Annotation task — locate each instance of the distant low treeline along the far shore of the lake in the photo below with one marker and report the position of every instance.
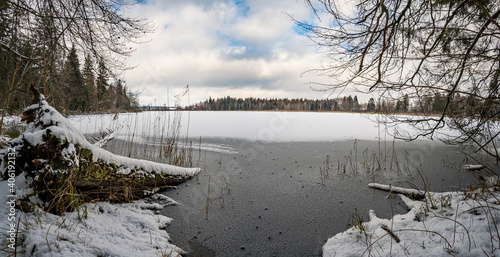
(431, 104)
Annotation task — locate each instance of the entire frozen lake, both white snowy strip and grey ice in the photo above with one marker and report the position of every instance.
(263, 189)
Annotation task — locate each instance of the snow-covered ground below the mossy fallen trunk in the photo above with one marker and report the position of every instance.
(95, 229)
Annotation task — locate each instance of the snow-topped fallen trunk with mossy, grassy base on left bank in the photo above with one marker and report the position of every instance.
(63, 168)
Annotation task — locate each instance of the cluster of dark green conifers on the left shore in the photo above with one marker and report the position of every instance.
(72, 88)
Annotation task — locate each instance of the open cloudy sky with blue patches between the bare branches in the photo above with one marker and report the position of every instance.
(247, 48)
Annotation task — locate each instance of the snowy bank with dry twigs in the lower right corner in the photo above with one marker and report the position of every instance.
(454, 223)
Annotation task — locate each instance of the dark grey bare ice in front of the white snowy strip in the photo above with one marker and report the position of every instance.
(270, 199)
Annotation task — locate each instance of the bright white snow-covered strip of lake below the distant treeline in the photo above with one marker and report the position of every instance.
(265, 126)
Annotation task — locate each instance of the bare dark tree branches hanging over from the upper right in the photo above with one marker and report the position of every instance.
(444, 55)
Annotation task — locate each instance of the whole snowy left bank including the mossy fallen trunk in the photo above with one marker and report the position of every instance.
(41, 168)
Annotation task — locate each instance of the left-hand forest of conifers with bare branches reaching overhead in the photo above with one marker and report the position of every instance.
(67, 50)
